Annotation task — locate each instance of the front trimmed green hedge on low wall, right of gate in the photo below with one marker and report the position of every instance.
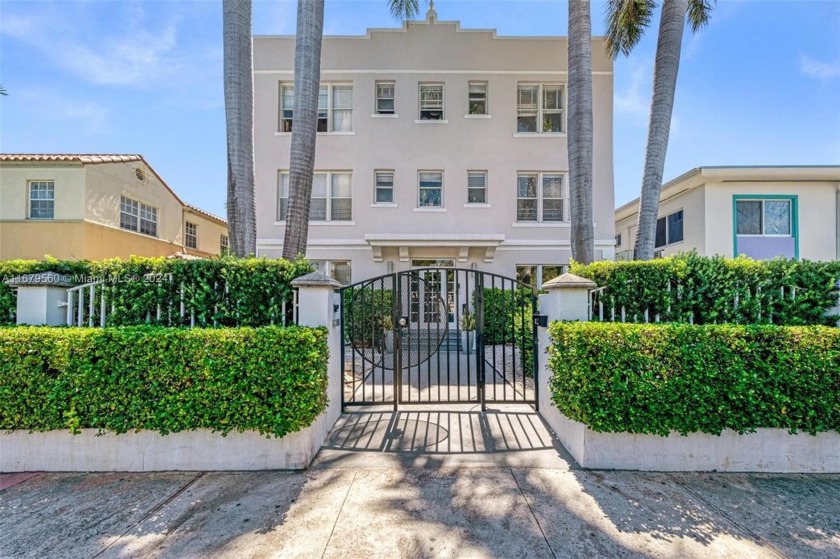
(660, 378)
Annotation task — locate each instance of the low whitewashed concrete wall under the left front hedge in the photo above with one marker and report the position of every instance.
(147, 451)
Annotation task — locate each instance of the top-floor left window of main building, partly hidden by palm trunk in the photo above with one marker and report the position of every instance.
(335, 107)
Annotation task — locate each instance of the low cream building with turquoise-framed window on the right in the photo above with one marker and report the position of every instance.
(759, 211)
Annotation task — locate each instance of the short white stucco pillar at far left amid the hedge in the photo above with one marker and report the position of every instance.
(39, 297)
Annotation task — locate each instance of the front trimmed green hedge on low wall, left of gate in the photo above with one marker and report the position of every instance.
(272, 380)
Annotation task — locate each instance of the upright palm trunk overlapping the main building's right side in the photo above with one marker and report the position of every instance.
(580, 131)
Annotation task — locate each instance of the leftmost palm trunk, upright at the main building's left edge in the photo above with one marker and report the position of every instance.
(239, 120)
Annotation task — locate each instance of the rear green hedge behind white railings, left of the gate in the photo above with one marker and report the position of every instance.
(216, 292)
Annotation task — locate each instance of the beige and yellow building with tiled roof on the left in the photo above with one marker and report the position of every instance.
(97, 206)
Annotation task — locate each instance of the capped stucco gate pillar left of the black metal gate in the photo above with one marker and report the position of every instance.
(317, 307)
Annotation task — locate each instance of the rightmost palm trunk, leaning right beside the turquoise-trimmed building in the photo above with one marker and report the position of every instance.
(665, 72)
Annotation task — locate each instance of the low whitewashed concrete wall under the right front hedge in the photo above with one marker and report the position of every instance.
(766, 450)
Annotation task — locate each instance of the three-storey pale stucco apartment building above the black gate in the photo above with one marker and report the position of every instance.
(437, 146)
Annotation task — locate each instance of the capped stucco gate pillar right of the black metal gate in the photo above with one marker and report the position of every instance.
(567, 298)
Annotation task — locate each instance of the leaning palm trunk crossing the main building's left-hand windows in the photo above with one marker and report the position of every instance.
(310, 28)
